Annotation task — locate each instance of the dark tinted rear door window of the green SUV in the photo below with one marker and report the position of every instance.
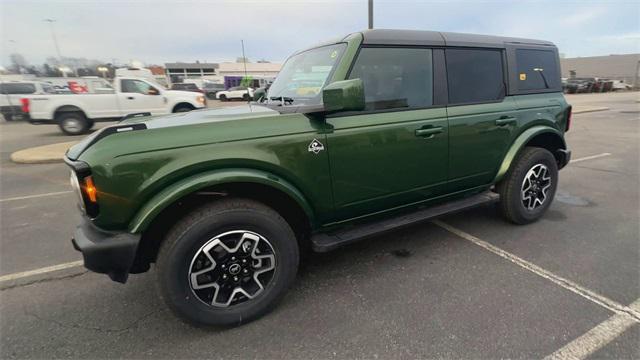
(474, 75)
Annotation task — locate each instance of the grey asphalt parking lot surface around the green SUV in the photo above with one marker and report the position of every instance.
(469, 285)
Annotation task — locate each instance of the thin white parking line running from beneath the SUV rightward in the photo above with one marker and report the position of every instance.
(565, 283)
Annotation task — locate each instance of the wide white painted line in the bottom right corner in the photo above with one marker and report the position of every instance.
(596, 338)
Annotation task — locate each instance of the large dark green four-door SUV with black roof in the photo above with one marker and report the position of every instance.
(404, 126)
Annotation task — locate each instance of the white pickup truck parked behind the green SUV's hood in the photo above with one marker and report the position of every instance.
(75, 114)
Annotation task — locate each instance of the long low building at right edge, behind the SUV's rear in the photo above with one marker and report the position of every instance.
(615, 67)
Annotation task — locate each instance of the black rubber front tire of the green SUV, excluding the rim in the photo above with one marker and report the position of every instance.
(191, 233)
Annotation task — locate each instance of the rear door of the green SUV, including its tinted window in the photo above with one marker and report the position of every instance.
(482, 121)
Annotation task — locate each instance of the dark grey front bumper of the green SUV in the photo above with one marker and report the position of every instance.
(106, 252)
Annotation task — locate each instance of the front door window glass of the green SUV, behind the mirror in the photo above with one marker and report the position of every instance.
(395, 77)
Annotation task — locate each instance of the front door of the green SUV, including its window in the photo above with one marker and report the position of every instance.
(395, 152)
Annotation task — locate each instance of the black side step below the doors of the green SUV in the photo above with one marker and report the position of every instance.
(329, 241)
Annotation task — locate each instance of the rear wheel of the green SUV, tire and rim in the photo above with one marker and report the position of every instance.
(529, 187)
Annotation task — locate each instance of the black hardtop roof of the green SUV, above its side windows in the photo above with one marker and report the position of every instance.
(436, 38)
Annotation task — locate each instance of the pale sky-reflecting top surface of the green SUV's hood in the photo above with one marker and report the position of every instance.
(178, 120)
